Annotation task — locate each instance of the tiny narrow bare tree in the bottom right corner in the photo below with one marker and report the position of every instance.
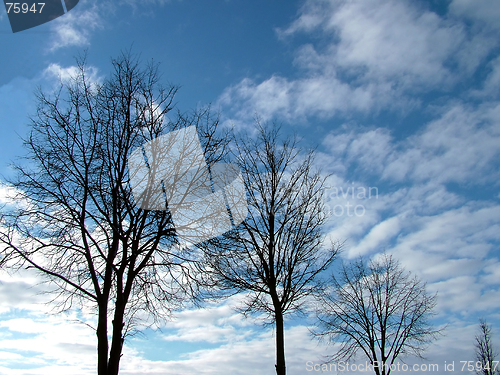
(485, 352)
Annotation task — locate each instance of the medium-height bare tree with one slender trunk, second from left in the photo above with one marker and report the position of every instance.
(276, 254)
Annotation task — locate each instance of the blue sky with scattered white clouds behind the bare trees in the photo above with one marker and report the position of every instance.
(401, 96)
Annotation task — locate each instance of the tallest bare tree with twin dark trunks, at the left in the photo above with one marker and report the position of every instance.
(74, 218)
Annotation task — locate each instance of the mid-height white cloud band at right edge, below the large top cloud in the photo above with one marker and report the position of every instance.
(461, 145)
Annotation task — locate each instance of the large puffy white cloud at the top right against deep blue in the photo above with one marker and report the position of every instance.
(375, 55)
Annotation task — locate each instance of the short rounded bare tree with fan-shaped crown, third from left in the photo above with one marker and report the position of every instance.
(377, 309)
